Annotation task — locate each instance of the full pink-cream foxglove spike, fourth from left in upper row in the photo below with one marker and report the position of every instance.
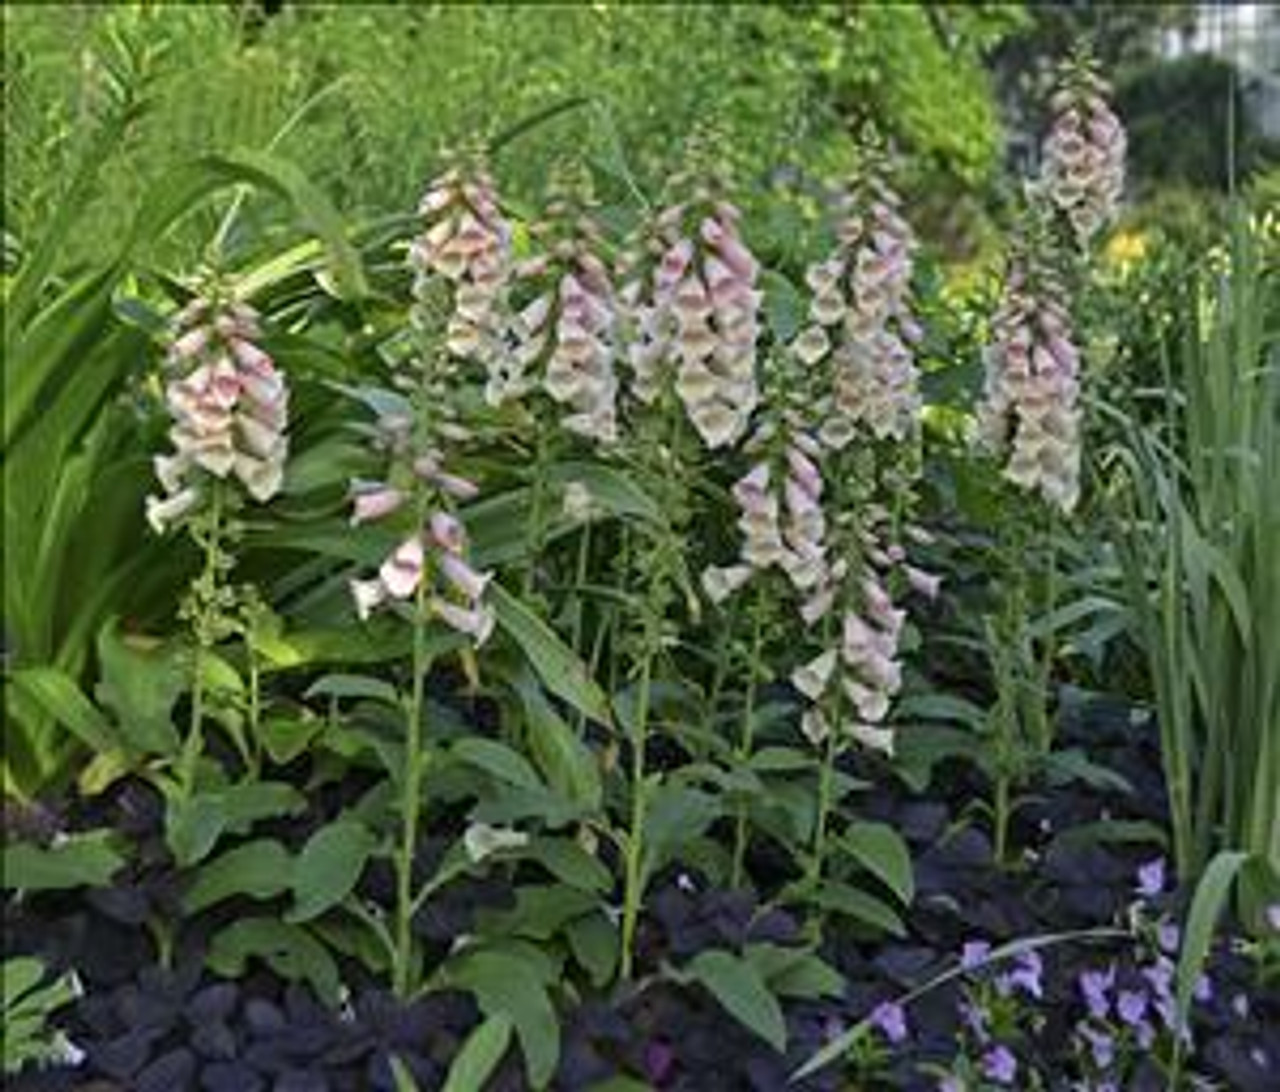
(701, 313)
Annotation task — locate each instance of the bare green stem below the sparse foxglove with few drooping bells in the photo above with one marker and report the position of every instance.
(412, 807)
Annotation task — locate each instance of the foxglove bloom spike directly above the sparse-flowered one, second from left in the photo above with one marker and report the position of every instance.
(468, 241)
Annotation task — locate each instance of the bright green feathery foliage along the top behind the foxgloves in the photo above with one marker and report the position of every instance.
(363, 98)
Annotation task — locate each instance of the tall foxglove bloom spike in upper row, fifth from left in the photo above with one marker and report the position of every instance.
(861, 323)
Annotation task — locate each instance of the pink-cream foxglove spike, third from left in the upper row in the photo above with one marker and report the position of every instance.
(573, 326)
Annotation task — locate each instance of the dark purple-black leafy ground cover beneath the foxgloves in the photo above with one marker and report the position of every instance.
(148, 1030)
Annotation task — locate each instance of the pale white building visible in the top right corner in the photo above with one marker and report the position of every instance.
(1247, 35)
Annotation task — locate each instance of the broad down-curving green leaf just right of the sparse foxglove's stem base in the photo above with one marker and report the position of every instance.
(508, 985)
